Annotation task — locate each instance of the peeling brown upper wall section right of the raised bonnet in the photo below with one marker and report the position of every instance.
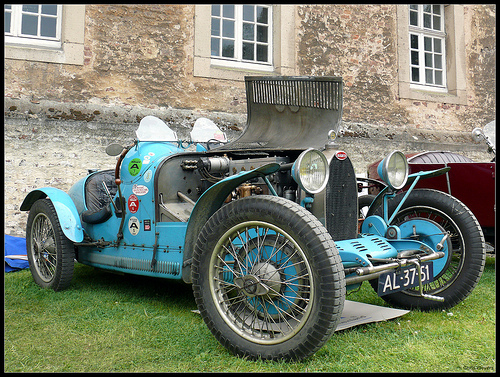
(358, 43)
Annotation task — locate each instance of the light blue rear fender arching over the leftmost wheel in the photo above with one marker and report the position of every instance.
(65, 209)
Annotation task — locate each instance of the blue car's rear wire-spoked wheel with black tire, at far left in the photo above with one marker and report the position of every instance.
(50, 253)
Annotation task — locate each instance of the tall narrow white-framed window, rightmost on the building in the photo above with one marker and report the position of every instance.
(427, 46)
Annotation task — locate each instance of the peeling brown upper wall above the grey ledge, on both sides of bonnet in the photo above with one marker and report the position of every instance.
(142, 55)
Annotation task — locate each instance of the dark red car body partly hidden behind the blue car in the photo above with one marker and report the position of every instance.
(473, 183)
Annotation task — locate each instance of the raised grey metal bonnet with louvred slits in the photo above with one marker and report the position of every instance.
(290, 112)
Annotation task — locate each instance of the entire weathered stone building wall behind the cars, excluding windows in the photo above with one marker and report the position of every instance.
(138, 61)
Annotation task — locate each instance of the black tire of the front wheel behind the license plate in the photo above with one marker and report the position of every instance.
(466, 262)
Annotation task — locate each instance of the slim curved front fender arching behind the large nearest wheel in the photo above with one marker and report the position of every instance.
(209, 203)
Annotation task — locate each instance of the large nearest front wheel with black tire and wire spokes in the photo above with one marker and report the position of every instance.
(278, 295)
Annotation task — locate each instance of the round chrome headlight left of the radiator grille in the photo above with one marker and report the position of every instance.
(311, 171)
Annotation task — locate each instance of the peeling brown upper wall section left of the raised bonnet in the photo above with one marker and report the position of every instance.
(135, 55)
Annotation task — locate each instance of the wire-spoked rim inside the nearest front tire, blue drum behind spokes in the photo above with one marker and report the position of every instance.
(261, 282)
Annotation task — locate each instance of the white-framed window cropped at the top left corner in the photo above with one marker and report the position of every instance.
(33, 24)
